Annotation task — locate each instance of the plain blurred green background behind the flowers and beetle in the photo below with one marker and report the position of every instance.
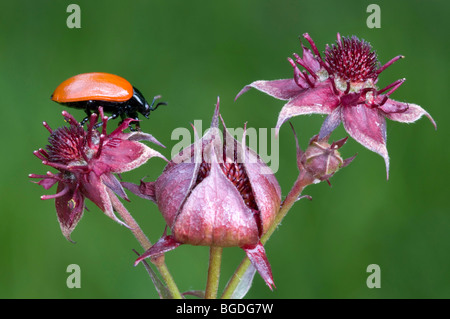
(191, 52)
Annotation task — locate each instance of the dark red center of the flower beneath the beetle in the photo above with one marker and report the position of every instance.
(66, 145)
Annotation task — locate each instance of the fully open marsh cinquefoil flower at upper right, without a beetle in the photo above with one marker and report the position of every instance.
(342, 85)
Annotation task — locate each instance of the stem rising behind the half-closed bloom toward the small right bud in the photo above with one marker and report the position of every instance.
(303, 180)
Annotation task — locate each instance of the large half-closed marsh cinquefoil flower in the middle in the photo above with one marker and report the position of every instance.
(215, 193)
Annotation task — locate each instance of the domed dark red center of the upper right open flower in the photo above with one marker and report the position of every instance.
(351, 60)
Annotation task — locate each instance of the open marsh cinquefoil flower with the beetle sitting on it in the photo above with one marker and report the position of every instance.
(86, 161)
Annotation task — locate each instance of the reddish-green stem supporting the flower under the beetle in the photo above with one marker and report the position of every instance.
(145, 243)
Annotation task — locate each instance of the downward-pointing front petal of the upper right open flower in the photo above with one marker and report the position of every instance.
(368, 127)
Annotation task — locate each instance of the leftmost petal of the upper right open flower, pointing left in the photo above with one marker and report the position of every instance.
(284, 89)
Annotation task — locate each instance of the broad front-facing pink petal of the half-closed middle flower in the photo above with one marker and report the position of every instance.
(232, 223)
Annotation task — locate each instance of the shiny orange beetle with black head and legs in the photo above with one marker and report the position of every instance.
(116, 95)
